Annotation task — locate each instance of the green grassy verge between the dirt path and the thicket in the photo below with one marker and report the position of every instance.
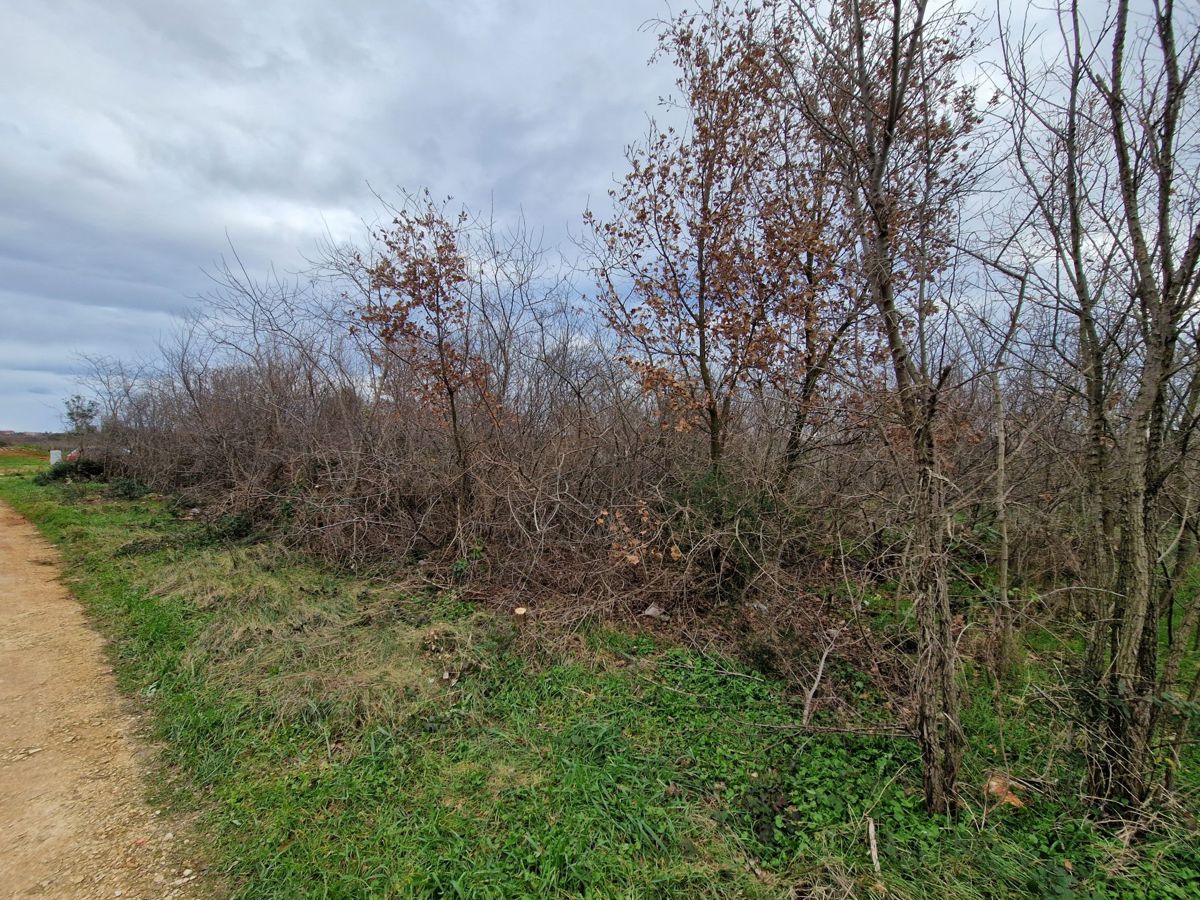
(347, 739)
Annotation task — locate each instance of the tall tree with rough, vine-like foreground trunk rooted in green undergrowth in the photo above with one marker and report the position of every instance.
(878, 85)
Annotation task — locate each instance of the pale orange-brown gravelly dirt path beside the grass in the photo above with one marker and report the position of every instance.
(74, 820)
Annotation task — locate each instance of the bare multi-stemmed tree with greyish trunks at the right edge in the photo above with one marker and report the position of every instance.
(1108, 142)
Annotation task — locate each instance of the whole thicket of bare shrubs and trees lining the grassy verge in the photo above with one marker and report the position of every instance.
(905, 296)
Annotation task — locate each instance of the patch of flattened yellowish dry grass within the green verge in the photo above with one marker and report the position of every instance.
(305, 646)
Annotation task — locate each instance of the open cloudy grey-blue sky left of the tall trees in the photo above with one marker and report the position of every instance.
(141, 139)
